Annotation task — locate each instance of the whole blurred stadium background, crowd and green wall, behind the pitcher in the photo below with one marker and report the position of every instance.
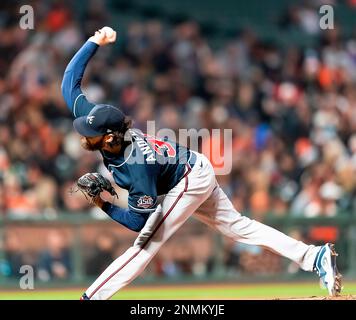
(266, 70)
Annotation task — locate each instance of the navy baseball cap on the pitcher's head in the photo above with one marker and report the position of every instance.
(102, 119)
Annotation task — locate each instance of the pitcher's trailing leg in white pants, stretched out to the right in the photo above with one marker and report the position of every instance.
(219, 213)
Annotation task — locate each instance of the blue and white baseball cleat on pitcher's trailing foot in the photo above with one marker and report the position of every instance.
(325, 267)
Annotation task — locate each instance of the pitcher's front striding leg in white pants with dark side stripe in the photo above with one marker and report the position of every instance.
(178, 205)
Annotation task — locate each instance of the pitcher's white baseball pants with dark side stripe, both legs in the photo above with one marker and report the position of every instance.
(198, 192)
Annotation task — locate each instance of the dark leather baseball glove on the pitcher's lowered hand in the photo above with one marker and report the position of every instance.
(92, 184)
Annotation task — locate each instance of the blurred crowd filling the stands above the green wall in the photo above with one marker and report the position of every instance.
(292, 110)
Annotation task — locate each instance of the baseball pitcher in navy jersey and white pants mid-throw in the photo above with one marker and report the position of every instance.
(185, 181)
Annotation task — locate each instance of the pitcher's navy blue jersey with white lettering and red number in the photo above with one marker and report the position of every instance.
(149, 167)
